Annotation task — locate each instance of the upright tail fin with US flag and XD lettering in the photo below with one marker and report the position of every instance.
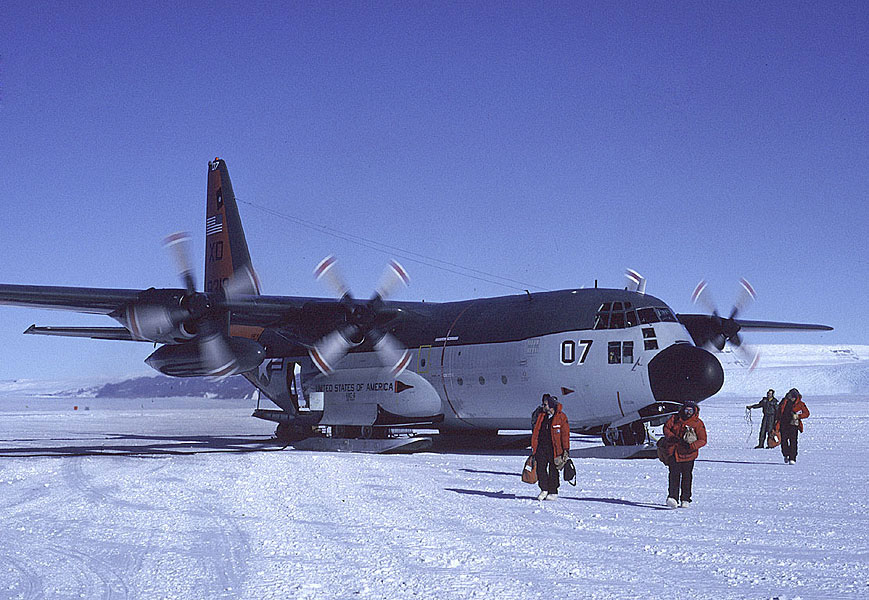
(227, 260)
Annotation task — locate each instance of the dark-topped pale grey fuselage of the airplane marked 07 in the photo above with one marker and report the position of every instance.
(485, 363)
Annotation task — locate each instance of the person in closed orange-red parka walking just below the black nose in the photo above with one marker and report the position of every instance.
(685, 434)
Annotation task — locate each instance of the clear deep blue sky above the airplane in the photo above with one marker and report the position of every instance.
(551, 144)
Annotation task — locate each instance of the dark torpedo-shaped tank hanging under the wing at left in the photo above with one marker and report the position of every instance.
(185, 360)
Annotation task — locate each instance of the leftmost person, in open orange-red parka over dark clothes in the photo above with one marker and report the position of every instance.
(550, 439)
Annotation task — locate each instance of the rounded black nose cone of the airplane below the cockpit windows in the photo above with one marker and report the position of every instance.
(683, 372)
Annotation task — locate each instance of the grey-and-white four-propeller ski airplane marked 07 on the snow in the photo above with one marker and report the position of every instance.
(617, 359)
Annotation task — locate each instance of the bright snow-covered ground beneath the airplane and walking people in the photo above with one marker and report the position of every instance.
(188, 499)
